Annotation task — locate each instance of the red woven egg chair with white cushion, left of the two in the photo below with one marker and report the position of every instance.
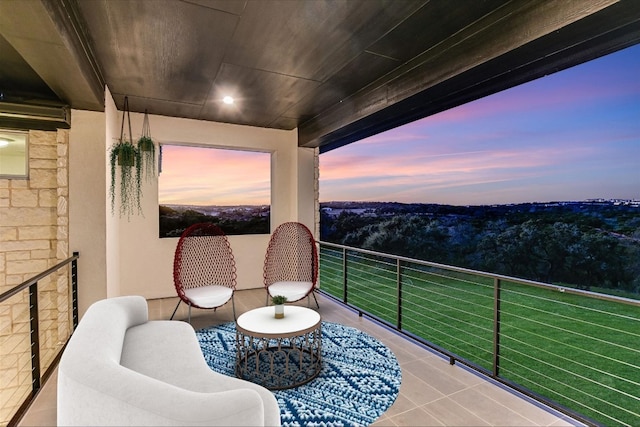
(204, 270)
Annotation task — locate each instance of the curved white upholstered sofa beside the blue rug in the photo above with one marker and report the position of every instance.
(121, 369)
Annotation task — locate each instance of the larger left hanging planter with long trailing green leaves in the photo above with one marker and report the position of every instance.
(125, 157)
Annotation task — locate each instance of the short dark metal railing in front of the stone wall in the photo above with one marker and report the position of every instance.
(36, 333)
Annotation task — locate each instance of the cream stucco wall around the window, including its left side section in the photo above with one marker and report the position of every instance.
(126, 256)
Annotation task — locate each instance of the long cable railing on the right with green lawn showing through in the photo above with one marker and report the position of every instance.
(574, 350)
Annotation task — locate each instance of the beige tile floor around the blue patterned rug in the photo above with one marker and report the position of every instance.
(433, 392)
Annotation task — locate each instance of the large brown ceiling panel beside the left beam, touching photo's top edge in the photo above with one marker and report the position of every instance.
(160, 49)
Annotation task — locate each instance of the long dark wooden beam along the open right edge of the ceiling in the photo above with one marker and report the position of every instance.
(484, 58)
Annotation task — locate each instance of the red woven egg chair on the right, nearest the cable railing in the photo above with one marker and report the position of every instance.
(291, 263)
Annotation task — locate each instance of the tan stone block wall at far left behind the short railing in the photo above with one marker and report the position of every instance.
(34, 233)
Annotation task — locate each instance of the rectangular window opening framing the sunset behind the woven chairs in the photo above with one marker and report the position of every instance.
(231, 188)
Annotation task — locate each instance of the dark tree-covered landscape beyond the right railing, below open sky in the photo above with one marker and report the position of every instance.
(584, 245)
